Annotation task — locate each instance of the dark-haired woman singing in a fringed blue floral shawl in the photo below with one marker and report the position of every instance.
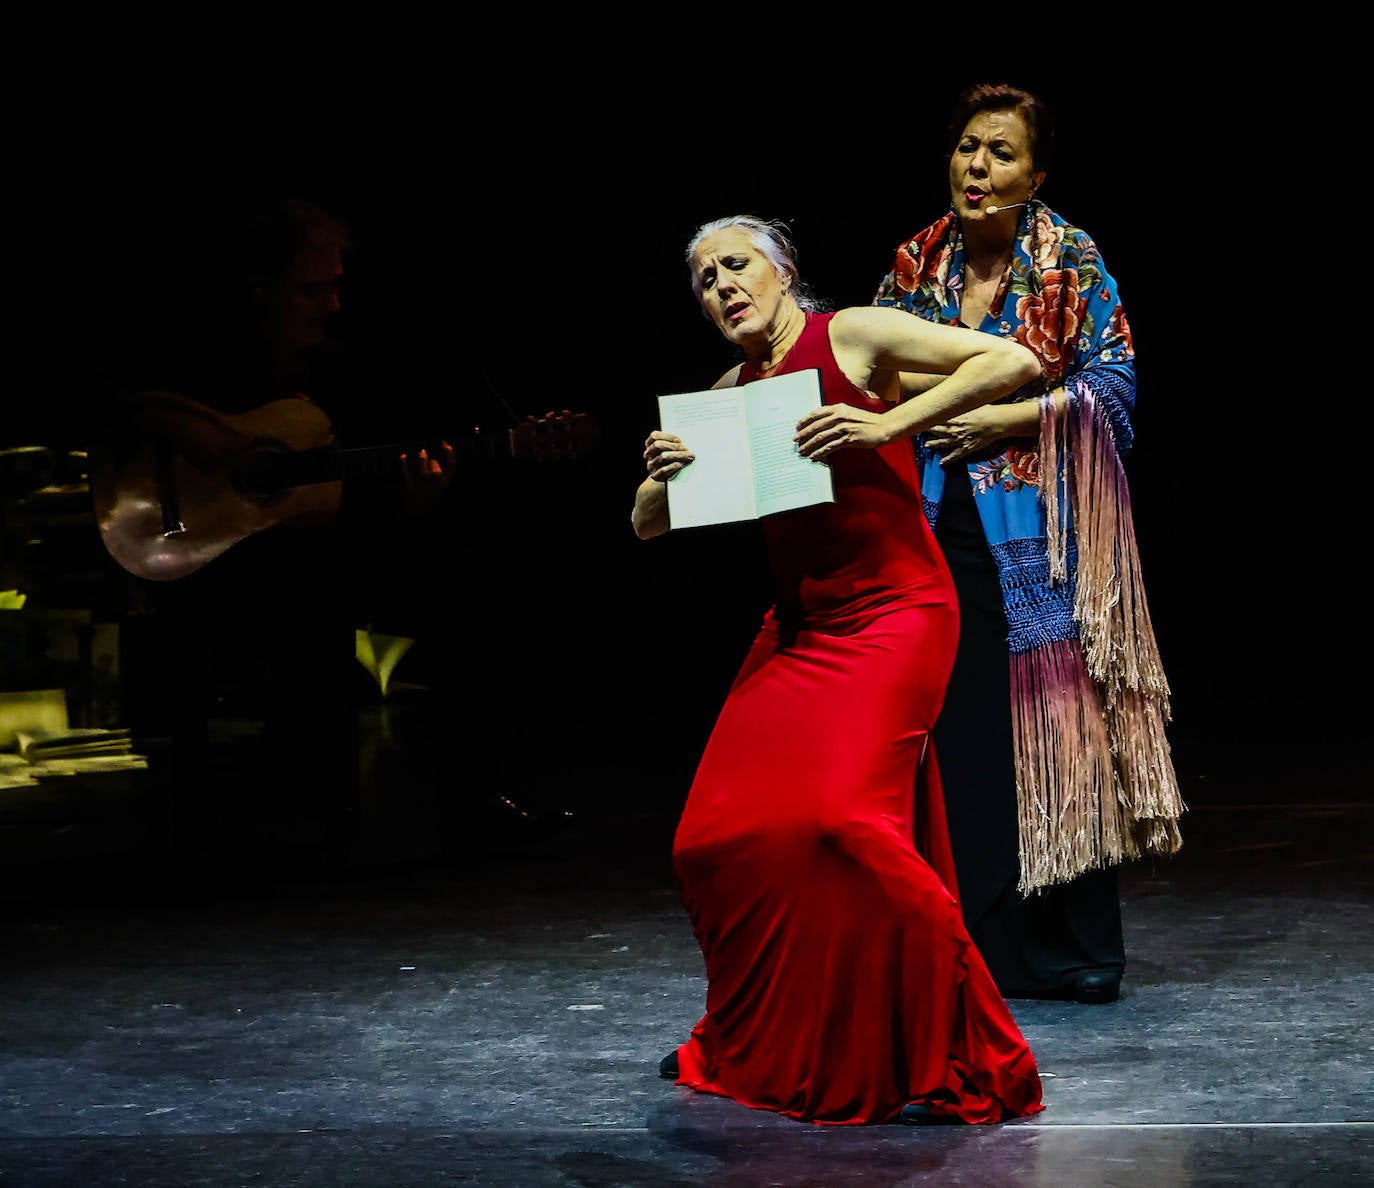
(1049, 790)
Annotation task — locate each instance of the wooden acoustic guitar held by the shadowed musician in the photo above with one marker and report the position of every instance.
(190, 483)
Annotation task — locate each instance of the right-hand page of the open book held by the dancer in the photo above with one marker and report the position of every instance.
(784, 479)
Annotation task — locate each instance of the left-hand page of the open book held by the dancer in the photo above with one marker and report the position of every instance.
(719, 486)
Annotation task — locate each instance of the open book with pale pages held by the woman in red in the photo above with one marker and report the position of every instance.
(747, 464)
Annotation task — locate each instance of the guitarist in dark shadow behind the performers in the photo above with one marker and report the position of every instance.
(238, 649)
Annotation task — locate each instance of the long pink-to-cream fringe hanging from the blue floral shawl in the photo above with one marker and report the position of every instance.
(1096, 779)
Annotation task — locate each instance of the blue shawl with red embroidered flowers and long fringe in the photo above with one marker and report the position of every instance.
(1090, 702)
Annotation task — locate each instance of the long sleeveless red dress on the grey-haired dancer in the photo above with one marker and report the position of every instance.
(842, 981)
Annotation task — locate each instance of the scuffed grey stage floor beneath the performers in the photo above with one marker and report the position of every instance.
(494, 1014)
